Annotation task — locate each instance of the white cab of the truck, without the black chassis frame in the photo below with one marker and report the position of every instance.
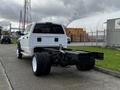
(38, 35)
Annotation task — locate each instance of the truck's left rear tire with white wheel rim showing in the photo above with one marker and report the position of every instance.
(41, 64)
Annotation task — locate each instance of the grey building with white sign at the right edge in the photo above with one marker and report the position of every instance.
(113, 32)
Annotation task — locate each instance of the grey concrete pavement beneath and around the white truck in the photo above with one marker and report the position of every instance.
(21, 77)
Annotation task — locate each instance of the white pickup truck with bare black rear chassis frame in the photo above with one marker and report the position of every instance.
(47, 44)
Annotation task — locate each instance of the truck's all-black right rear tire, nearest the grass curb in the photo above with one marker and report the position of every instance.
(86, 65)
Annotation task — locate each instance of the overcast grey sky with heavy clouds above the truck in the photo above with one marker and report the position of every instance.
(61, 11)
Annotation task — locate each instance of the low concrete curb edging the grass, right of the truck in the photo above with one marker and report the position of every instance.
(107, 71)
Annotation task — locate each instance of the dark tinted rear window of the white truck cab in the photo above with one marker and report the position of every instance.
(48, 28)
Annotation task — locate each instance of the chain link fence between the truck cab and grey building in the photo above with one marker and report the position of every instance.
(96, 38)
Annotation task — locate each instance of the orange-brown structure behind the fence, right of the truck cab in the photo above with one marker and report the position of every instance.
(77, 34)
